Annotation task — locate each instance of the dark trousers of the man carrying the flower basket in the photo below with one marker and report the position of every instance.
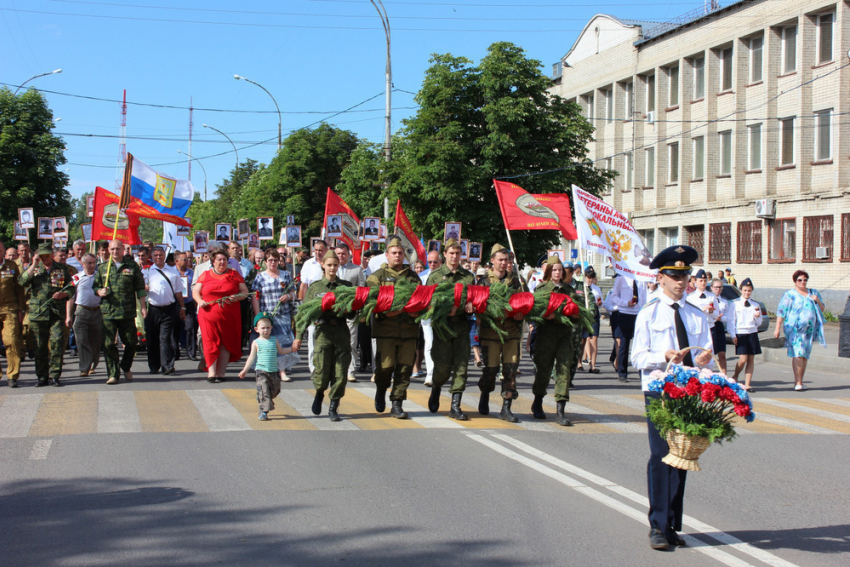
(665, 484)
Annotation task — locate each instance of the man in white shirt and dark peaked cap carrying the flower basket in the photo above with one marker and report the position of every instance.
(663, 328)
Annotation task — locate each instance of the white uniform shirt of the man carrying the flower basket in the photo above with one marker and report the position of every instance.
(655, 334)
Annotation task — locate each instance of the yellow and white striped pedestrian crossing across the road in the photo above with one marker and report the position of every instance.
(235, 409)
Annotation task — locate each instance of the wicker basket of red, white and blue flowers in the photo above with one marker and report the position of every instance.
(696, 409)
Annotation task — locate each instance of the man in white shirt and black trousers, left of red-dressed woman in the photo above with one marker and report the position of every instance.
(165, 296)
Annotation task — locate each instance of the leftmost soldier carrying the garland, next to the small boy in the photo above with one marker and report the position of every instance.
(331, 342)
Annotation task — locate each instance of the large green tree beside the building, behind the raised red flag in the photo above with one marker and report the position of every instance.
(479, 123)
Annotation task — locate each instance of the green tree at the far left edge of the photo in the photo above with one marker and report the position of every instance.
(30, 157)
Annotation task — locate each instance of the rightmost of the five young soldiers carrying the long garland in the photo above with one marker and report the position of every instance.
(555, 344)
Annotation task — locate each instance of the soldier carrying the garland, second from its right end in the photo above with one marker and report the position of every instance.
(493, 350)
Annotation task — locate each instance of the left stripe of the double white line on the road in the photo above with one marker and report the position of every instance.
(604, 499)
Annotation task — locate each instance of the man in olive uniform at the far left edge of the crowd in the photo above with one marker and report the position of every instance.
(12, 303)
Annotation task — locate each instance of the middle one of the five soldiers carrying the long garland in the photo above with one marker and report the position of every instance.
(452, 353)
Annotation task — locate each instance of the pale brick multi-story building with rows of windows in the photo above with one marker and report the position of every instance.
(729, 131)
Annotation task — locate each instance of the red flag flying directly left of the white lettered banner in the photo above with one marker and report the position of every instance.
(523, 211)
